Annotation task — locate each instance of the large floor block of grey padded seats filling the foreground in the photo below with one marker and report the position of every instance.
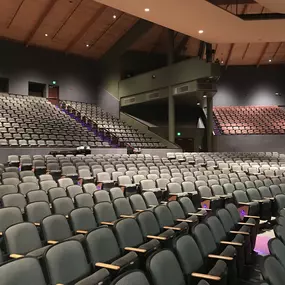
(80, 211)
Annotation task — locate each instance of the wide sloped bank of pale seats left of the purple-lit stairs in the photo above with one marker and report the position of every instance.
(27, 121)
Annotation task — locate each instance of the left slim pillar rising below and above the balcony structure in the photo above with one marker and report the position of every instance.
(171, 103)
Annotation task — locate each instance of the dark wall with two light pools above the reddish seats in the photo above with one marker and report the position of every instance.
(249, 85)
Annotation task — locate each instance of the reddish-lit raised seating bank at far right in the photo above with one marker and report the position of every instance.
(249, 120)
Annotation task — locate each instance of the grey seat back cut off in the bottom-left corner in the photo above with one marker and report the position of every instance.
(24, 271)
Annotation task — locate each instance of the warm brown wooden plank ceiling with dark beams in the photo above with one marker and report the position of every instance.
(90, 29)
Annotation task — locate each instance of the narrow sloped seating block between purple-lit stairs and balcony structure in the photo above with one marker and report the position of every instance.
(103, 122)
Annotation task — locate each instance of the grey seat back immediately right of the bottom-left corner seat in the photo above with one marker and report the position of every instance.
(69, 256)
